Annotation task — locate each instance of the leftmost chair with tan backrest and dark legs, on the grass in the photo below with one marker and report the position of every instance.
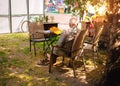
(35, 36)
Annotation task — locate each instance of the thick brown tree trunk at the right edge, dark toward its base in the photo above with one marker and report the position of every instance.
(111, 76)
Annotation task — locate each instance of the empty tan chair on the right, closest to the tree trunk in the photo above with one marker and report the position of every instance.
(93, 45)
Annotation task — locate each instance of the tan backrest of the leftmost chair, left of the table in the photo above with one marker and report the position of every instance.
(34, 27)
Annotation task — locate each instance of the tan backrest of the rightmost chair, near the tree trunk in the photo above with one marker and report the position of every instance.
(98, 32)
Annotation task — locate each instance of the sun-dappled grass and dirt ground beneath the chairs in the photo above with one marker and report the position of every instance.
(18, 66)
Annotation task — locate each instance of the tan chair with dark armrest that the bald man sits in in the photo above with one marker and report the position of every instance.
(75, 52)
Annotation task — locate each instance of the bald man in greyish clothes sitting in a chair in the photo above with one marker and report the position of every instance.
(65, 39)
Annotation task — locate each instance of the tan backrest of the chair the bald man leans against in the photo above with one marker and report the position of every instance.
(78, 42)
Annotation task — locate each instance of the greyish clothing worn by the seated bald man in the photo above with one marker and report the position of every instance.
(66, 40)
